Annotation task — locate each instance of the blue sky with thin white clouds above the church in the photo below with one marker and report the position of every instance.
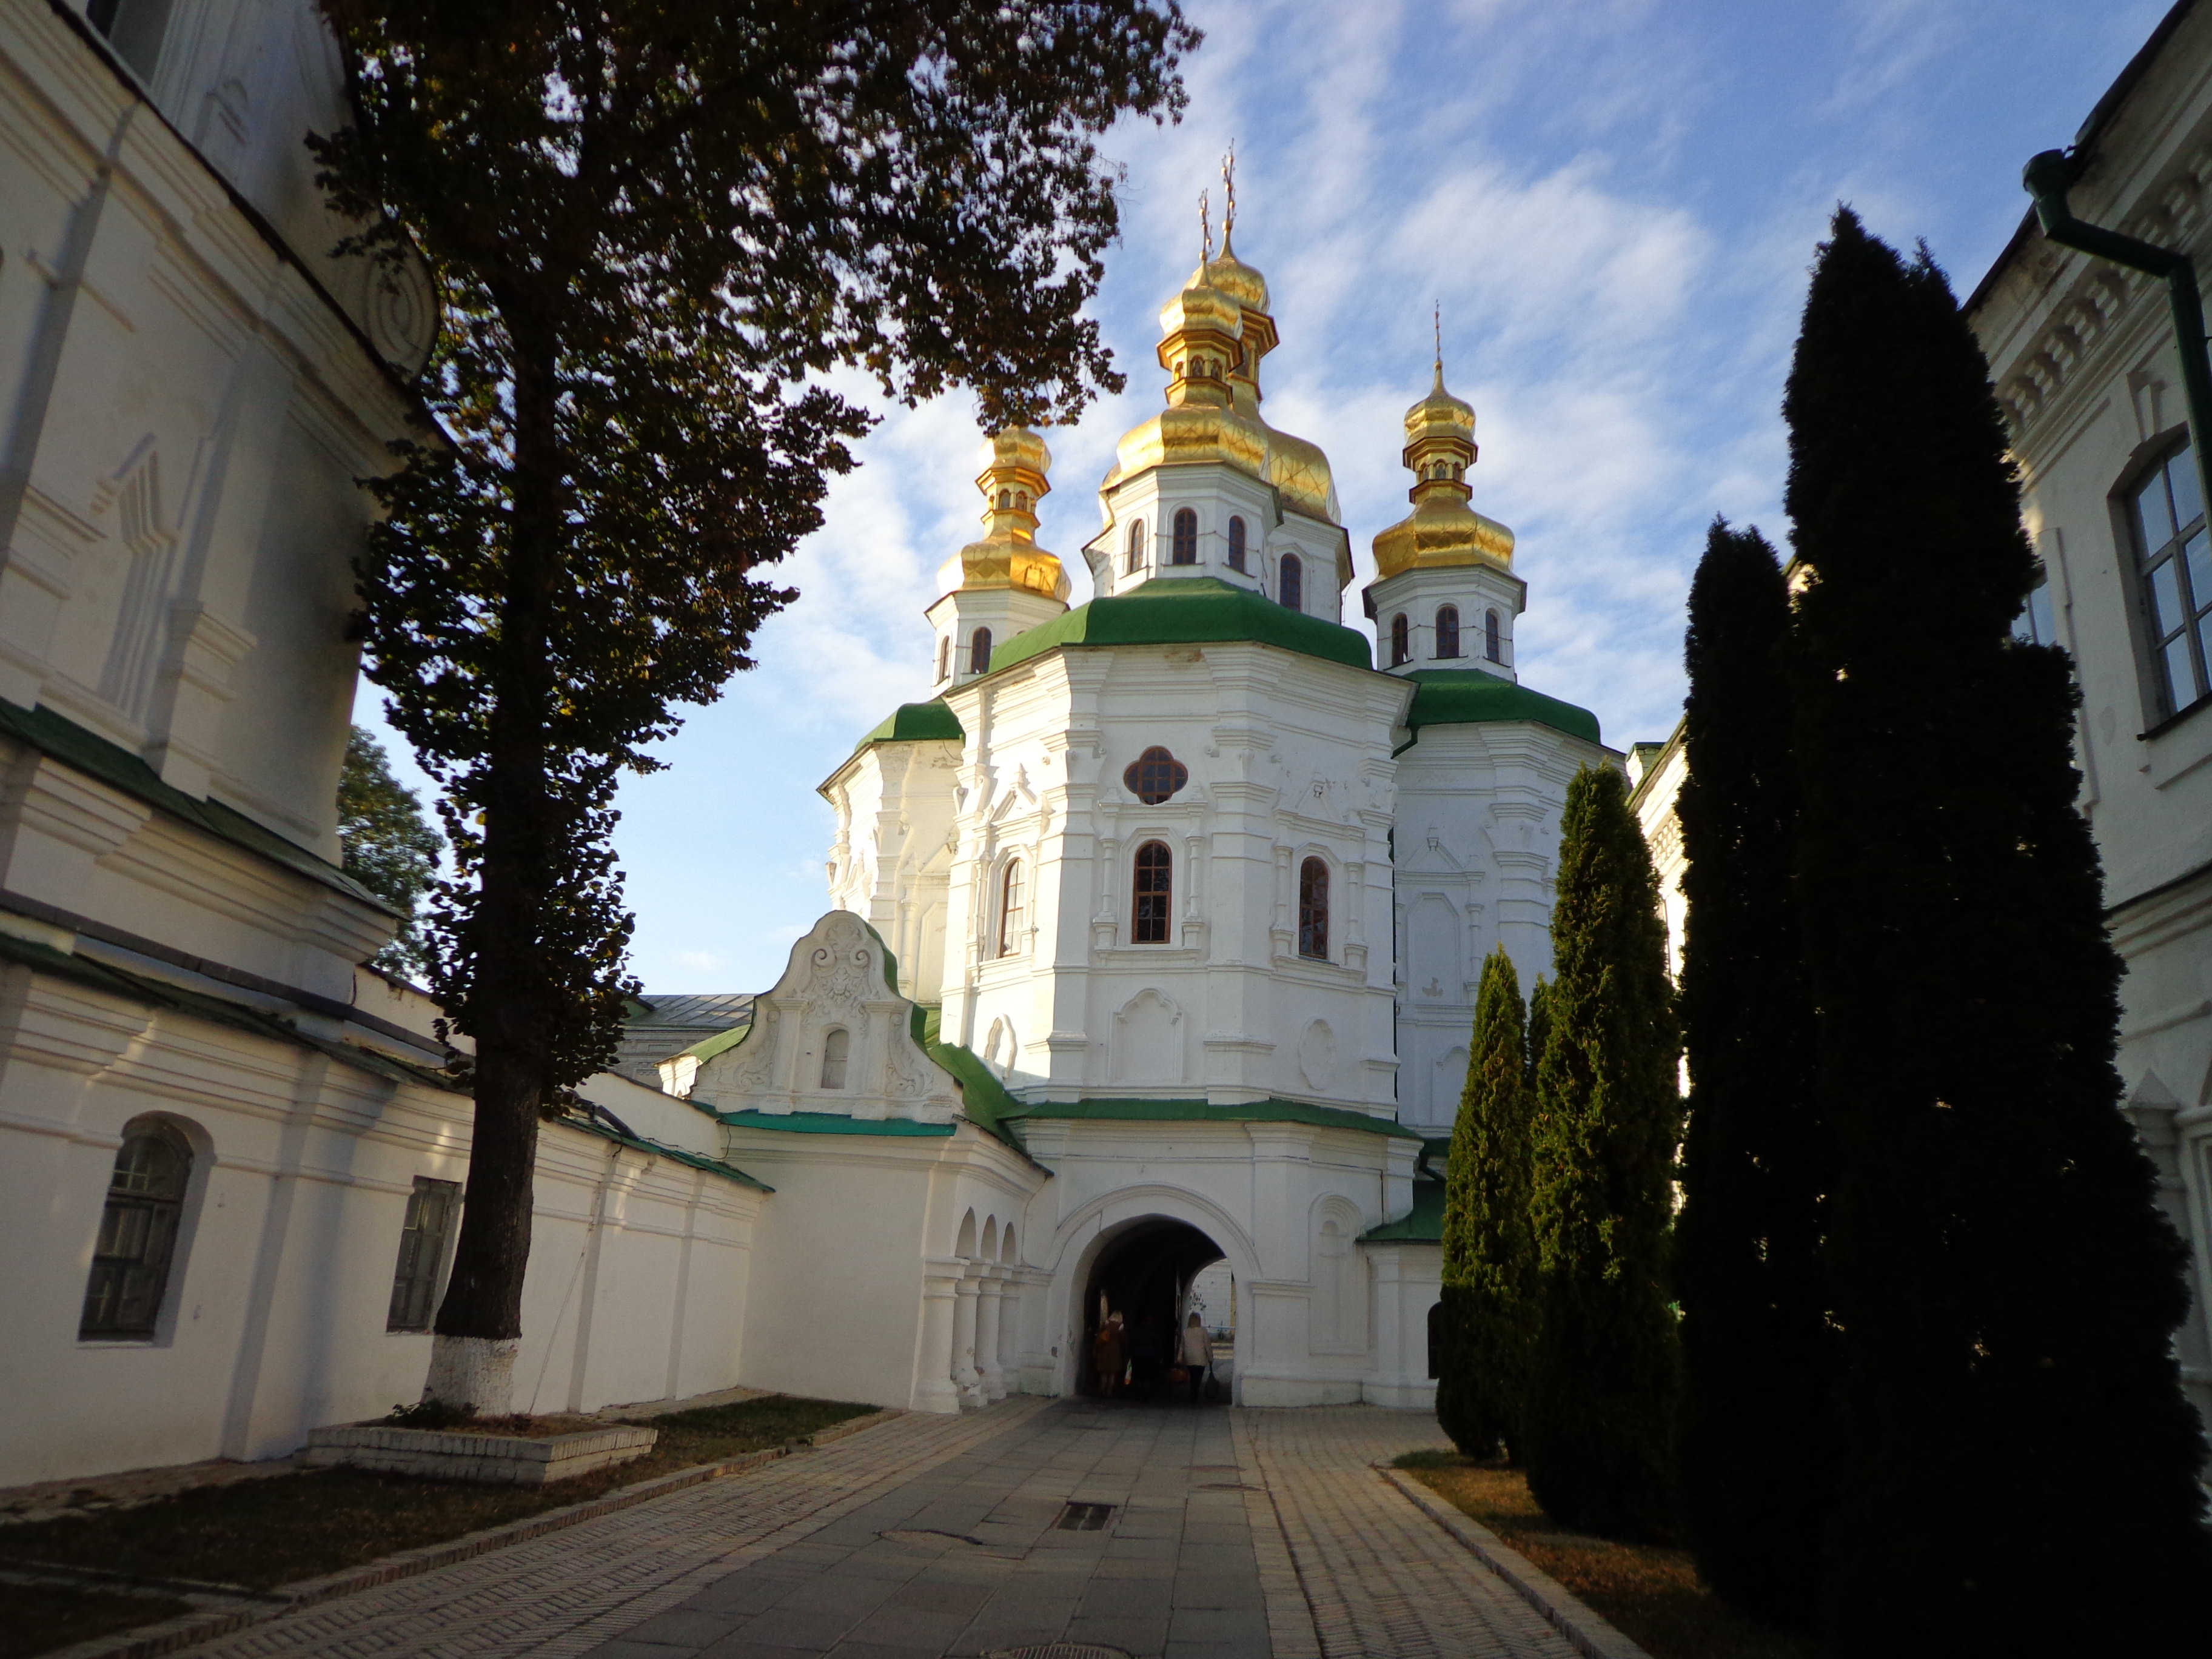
(1614, 202)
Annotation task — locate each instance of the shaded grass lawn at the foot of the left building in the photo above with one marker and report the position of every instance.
(262, 1534)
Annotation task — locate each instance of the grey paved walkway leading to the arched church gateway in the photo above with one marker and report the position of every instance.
(1224, 1534)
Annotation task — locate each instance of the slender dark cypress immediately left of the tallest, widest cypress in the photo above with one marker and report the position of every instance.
(1755, 1454)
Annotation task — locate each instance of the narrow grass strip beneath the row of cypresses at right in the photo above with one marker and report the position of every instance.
(1649, 1592)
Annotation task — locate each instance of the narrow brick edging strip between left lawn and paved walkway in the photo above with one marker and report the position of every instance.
(189, 1629)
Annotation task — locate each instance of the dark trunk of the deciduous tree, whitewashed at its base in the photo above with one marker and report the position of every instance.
(512, 1001)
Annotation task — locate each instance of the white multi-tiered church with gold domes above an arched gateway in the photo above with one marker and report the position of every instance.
(1156, 930)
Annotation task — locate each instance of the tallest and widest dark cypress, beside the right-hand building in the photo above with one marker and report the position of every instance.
(2018, 1461)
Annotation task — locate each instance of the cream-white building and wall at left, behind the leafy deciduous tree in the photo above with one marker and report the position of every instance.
(229, 1162)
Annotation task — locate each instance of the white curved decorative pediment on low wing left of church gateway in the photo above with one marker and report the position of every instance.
(835, 1036)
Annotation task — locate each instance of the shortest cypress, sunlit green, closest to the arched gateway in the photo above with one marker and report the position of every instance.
(1488, 1255)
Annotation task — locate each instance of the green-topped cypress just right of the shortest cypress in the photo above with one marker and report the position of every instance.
(1603, 1384)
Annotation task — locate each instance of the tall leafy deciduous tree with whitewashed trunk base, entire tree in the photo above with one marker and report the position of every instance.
(651, 225)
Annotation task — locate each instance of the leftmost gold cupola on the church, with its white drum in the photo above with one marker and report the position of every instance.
(1005, 583)
